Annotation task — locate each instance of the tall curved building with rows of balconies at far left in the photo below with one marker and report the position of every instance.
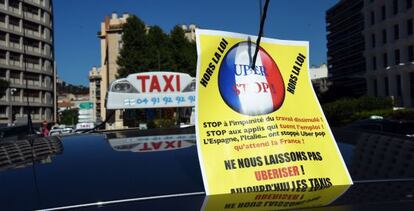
(27, 60)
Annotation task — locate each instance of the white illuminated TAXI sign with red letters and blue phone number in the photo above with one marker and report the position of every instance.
(152, 90)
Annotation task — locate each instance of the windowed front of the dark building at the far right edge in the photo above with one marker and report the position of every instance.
(389, 54)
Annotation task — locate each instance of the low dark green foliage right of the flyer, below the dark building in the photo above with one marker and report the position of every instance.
(344, 111)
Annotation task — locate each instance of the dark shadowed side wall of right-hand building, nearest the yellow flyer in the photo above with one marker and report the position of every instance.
(345, 42)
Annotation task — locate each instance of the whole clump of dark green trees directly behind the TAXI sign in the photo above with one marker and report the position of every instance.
(153, 50)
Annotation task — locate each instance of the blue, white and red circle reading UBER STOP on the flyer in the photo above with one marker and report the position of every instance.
(250, 91)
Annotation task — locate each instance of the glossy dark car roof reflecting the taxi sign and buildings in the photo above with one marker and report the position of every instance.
(136, 169)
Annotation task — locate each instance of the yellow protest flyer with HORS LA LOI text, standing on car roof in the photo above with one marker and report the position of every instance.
(261, 128)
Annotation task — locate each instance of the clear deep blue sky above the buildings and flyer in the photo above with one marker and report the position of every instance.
(76, 22)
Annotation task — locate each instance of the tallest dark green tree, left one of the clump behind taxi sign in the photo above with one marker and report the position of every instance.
(132, 56)
